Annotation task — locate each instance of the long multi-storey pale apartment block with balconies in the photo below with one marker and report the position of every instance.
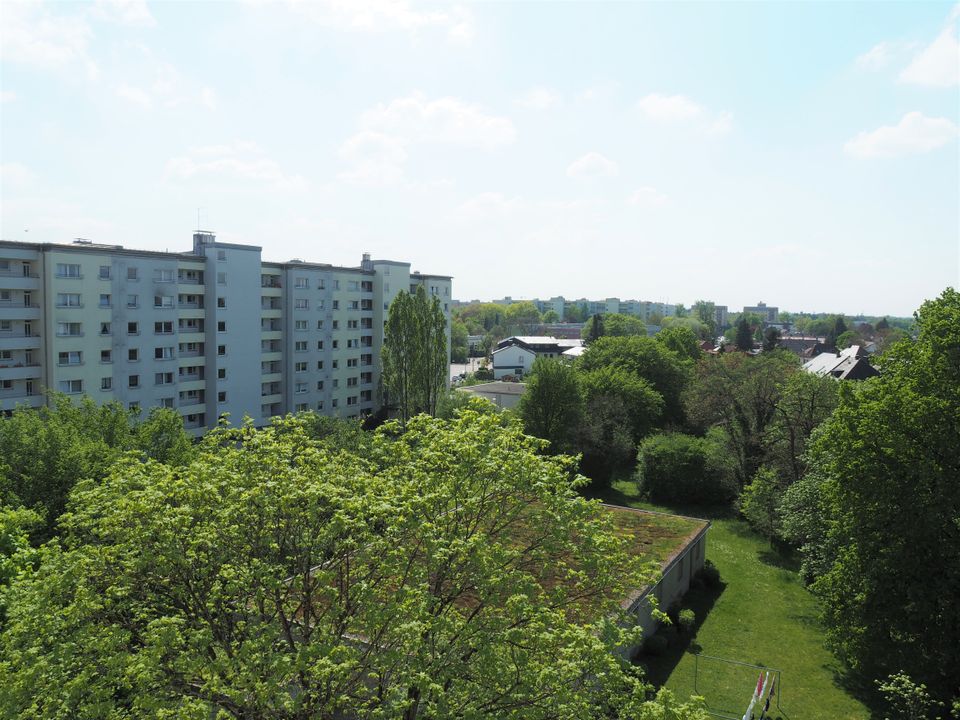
(211, 331)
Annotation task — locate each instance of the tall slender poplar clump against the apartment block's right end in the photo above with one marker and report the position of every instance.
(415, 358)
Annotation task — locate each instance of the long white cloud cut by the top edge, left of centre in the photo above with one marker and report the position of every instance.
(385, 15)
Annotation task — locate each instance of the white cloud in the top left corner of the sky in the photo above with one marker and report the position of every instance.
(31, 35)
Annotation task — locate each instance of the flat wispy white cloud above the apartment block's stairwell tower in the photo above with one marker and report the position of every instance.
(242, 163)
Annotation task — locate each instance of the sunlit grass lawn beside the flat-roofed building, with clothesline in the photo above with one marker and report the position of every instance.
(761, 615)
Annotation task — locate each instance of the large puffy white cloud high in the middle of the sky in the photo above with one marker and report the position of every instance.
(446, 120)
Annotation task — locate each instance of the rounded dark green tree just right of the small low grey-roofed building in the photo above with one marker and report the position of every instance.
(552, 403)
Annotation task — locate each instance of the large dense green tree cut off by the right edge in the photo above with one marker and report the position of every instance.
(887, 472)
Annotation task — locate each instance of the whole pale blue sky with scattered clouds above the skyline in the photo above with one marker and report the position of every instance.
(803, 154)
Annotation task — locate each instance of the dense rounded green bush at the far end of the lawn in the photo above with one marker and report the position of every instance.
(674, 467)
